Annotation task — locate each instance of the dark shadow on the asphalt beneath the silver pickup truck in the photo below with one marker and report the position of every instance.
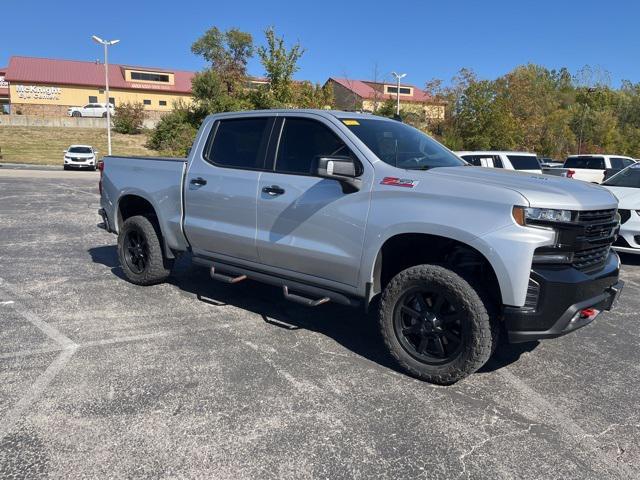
(352, 328)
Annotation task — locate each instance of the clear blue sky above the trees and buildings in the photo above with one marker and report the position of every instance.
(344, 38)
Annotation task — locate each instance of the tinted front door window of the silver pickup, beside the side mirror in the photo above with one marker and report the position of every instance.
(302, 141)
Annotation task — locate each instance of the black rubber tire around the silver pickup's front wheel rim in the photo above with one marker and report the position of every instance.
(482, 328)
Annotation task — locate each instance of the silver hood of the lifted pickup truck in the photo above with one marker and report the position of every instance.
(543, 191)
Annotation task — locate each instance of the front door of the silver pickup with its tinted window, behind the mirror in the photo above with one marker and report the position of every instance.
(306, 224)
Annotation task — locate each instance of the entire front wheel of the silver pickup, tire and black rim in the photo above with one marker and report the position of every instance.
(435, 324)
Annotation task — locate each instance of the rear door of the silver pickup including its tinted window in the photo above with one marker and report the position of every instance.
(221, 188)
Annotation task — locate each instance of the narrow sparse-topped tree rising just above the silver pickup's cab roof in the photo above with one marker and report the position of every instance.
(280, 64)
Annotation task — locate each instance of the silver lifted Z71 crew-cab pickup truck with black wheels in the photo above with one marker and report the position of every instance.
(365, 211)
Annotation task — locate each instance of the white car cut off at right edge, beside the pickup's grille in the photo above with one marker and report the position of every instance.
(626, 186)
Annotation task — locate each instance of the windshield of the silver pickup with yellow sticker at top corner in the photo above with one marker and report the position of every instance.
(402, 146)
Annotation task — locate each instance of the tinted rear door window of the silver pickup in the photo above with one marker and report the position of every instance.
(238, 143)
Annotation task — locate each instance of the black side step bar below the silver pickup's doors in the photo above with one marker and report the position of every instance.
(316, 295)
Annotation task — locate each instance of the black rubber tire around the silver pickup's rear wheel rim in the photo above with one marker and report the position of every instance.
(157, 267)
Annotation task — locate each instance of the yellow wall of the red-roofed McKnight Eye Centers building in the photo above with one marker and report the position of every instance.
(64, 95)
